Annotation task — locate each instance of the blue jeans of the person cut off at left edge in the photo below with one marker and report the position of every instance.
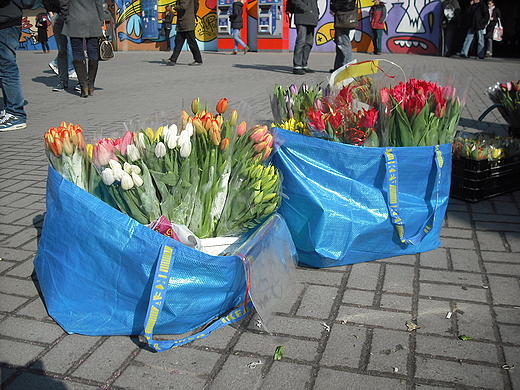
(10, 80)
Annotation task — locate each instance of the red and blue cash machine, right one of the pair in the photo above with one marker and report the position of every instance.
(272, 26)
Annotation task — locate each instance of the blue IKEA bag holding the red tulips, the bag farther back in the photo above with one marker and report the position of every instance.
(347, 204)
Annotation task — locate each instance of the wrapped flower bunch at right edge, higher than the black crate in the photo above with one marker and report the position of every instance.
(507, 97)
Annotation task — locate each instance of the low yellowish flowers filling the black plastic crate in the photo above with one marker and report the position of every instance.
(485, 146)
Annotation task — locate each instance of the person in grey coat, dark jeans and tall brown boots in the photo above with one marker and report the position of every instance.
(84, 26)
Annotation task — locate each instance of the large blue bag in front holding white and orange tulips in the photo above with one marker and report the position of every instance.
(103, 273)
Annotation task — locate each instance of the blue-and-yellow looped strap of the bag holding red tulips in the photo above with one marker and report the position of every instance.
(392, 187)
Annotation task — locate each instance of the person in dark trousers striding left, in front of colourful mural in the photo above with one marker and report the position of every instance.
(186, 15)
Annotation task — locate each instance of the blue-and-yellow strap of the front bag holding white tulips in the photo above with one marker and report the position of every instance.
(157, 294)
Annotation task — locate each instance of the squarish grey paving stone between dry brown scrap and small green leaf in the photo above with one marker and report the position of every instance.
(432, 317)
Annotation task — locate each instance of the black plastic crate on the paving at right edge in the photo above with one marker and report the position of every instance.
(474, 180)
